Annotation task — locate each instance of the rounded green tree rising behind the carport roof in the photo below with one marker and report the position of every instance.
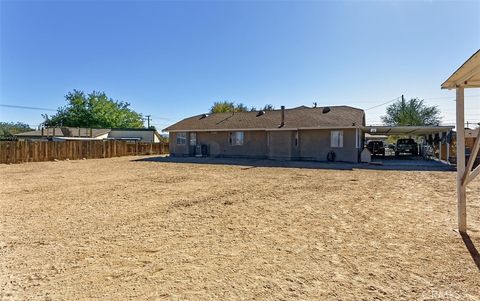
(411, 112)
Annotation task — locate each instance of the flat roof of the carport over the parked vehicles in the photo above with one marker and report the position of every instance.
(407, 130)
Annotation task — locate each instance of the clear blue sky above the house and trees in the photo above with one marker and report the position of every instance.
(174, 59)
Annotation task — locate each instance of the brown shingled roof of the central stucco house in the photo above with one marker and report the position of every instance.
(296, 118)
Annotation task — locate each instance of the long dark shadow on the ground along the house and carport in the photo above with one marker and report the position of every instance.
(379, 164)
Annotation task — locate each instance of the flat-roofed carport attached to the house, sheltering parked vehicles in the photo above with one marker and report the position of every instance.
(441, 132)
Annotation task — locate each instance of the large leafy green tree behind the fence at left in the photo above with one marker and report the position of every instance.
(94, 110)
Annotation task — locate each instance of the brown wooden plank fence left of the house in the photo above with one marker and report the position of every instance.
(36, 151)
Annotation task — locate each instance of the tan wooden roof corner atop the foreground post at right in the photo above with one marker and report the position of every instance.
(467, 76)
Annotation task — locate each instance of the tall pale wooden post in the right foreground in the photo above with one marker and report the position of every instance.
(461, 190)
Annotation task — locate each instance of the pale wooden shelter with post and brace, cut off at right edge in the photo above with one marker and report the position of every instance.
(467, 76)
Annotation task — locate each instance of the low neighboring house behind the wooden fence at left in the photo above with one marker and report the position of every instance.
(70, 133)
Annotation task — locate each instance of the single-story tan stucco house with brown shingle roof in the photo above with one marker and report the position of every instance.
(301, 133)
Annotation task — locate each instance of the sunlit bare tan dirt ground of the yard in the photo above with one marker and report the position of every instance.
(122, 229)
